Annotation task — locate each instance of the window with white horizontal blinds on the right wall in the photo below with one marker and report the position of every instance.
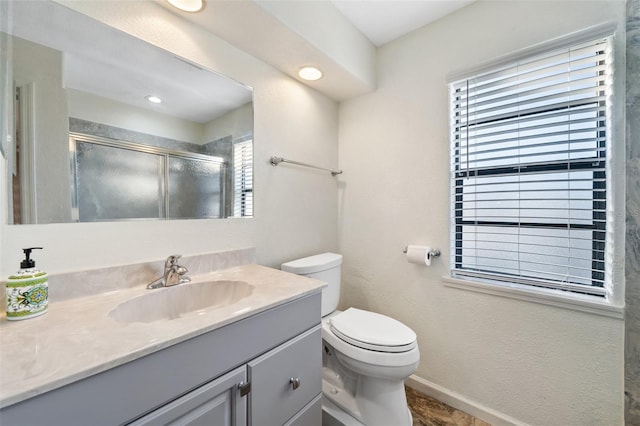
(529, 177)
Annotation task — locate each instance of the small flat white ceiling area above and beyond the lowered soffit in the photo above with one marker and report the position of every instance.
(382, 21)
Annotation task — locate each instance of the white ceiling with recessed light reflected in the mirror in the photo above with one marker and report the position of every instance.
(89, 49)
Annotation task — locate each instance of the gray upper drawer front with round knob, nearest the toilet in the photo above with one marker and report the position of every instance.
(274, 398)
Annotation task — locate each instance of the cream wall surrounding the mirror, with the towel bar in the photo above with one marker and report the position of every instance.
(295, 209)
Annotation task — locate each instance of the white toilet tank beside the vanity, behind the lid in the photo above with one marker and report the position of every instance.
(324, 267)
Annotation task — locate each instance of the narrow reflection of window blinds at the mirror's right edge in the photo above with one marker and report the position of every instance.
(243, 178)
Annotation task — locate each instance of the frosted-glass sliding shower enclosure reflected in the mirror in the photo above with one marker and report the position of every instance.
(118, 180)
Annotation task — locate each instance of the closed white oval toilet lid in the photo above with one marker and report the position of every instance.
(372, 331)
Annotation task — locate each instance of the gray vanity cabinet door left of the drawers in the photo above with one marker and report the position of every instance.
(217, 403)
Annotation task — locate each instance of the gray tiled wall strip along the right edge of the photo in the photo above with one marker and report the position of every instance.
(632, 266)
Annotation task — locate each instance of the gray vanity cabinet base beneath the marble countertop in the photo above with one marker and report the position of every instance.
(199, 381)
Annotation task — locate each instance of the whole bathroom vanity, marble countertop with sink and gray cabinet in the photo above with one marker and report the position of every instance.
(252, 359)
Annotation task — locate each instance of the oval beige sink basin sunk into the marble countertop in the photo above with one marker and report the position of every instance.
(183, 299)
